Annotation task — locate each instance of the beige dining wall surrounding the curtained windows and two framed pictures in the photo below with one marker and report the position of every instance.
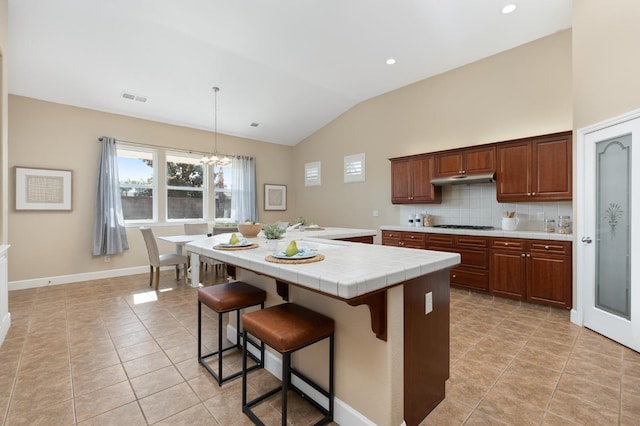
(48, 135)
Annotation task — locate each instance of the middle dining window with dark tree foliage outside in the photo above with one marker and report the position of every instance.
(185, 187)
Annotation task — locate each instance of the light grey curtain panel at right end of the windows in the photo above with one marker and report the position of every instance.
(243, 189)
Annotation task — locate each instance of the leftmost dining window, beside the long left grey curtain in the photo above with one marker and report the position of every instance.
(137, 183)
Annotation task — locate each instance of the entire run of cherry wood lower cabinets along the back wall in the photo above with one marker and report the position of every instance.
(538, 271)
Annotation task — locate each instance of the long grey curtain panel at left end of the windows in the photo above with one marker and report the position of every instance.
(109, 233)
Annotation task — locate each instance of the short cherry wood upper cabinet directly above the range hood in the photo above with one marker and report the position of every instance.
(481, 159)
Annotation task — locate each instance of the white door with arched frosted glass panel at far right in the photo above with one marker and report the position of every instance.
(608, 247)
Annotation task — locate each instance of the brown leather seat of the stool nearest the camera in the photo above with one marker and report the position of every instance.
(288, 327)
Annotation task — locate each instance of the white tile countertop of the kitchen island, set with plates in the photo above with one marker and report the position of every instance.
(348, 269)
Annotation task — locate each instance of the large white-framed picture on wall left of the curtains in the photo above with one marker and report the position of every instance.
(43, 189)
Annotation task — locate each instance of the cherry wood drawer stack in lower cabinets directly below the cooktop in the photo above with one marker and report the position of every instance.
(473, 270)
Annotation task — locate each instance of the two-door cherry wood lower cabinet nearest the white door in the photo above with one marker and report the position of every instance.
(538, 271)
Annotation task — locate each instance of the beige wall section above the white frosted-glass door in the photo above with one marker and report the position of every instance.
(605, 59)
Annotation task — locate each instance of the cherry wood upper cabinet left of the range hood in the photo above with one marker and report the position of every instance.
(411, 180)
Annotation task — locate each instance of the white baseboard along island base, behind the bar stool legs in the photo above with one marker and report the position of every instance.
(343, 414)
